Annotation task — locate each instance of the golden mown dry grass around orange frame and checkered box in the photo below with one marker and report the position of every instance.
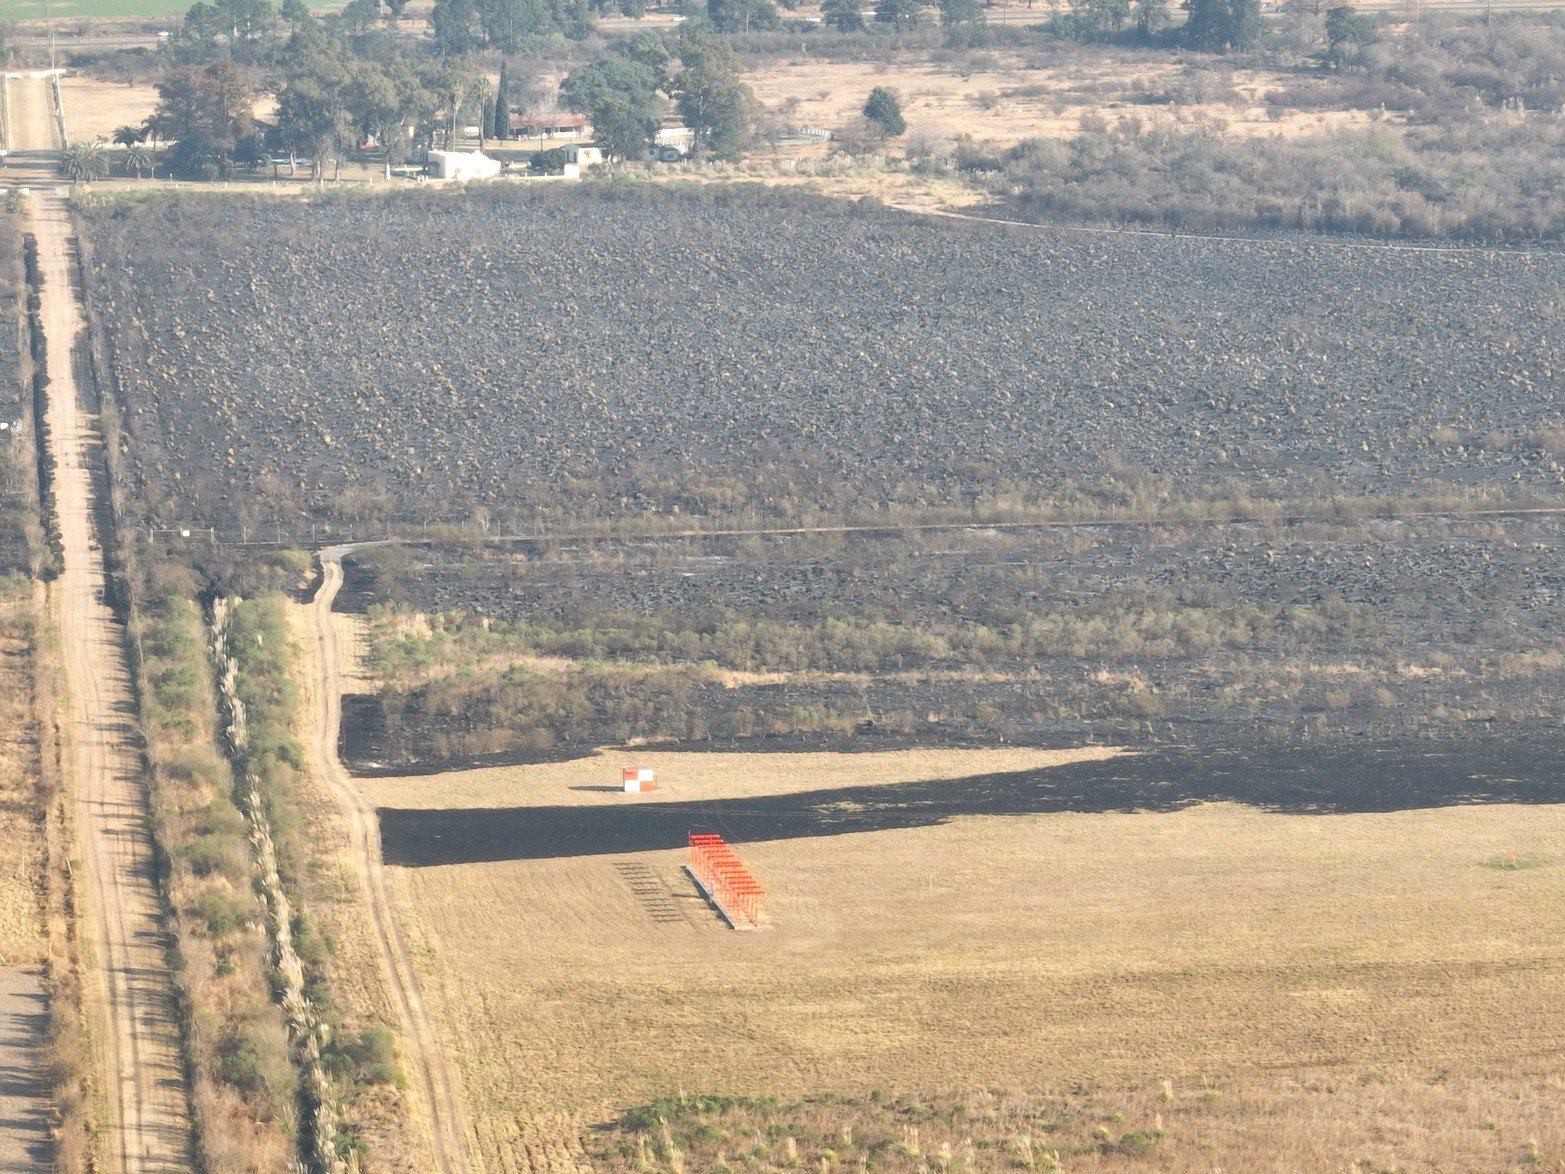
(1214, 948)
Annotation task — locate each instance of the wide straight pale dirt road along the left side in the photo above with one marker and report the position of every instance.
(131, 992)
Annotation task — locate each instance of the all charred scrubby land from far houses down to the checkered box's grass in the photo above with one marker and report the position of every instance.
(1293, 461)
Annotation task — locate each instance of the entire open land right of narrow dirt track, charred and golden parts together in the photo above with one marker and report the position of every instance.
(1251, 942)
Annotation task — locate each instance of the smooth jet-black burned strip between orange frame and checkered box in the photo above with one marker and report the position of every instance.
(1295, 780)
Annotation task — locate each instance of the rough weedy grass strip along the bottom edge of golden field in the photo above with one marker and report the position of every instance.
(1259, 1123)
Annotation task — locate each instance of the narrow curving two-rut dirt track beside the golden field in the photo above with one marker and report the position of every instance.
(431, 1078)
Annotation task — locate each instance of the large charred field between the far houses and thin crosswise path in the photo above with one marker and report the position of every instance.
(627, 353)
